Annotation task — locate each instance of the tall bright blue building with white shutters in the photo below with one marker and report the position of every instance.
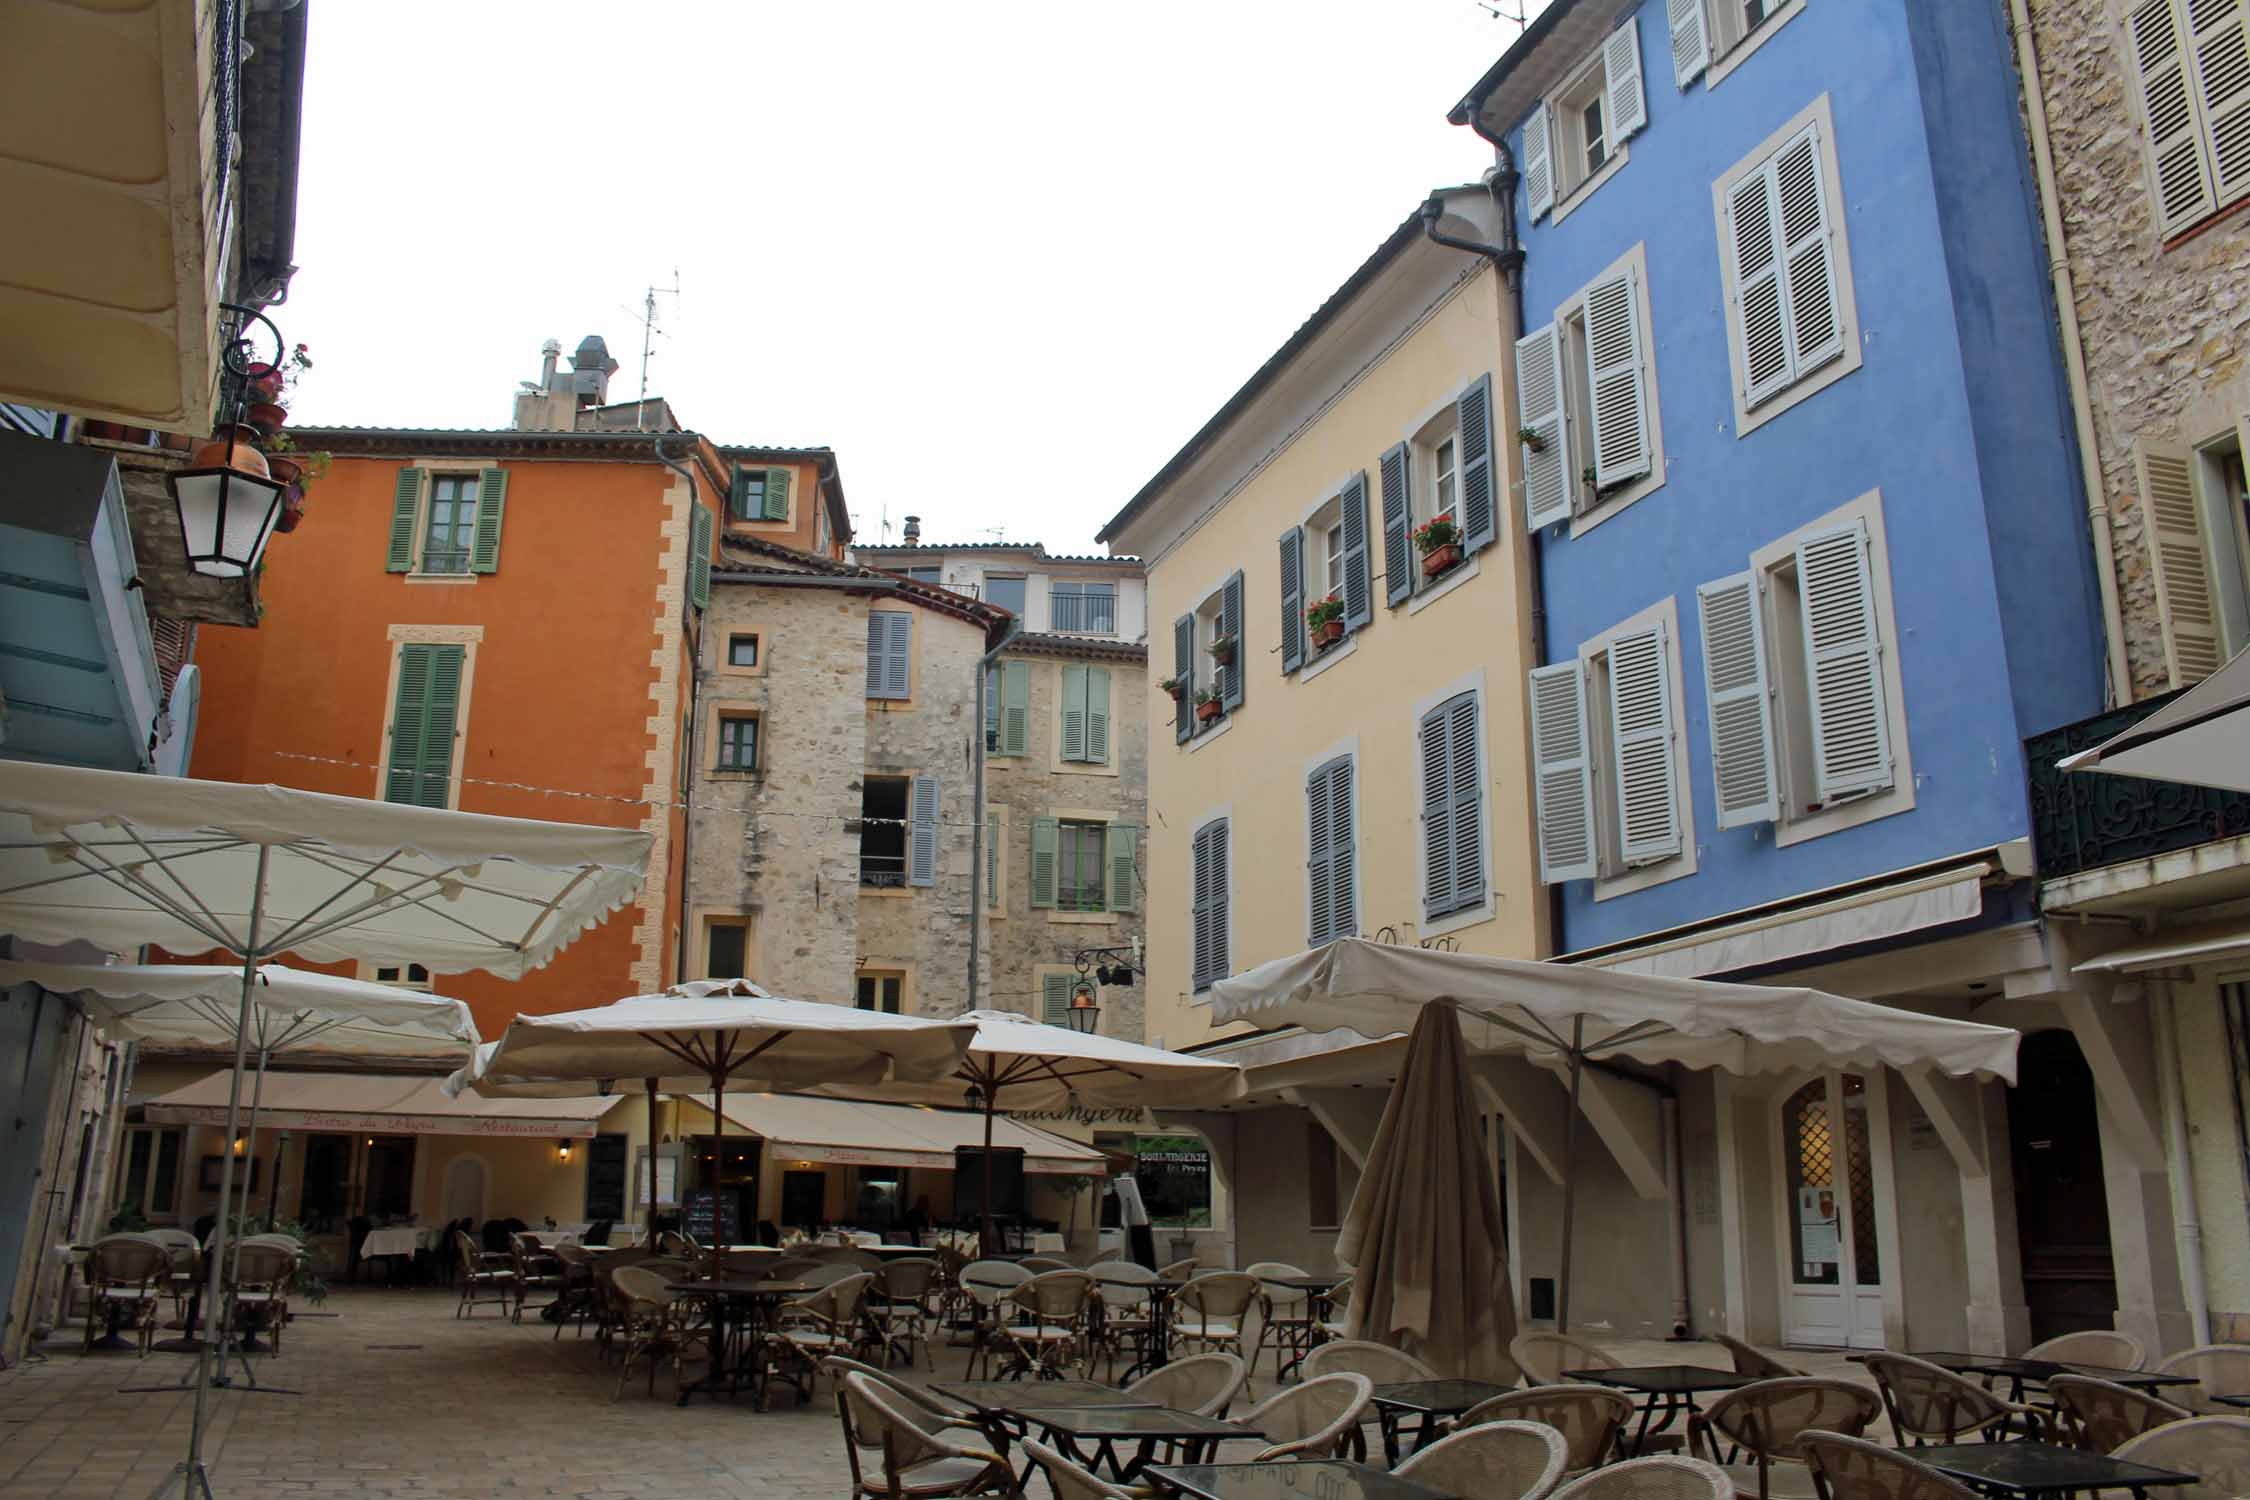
(1794, 455)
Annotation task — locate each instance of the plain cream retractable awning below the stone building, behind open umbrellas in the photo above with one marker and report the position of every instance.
(847, 1132)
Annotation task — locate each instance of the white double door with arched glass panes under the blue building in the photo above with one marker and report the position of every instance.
(1828, 1207)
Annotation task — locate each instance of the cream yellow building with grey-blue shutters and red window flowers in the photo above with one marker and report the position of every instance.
(1371, 786)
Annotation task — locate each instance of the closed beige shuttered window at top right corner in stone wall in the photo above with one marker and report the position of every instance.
(2193, 66)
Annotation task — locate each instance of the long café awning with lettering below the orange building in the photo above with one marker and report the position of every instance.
(379, 1105)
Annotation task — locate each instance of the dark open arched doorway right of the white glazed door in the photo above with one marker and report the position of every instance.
(2062, 1207)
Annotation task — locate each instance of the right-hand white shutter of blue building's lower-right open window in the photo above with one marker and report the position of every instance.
(1844, 665)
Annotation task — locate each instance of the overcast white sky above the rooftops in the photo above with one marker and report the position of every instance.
(1002, 257)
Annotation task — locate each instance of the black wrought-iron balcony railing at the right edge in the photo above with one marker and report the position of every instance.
(2089, 820)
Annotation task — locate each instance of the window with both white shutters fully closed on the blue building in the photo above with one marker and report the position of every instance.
(1788, 273)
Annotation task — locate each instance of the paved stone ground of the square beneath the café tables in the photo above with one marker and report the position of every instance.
(465, 1409)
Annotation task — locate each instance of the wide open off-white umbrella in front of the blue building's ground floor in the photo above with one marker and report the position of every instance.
(1569, 1015)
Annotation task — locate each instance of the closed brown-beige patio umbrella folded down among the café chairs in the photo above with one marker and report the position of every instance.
(1425, 1227)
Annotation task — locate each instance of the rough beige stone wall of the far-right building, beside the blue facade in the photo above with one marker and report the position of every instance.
(2166, 327)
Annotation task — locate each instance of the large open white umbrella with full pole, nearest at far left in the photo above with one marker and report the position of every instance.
(260, 871)
